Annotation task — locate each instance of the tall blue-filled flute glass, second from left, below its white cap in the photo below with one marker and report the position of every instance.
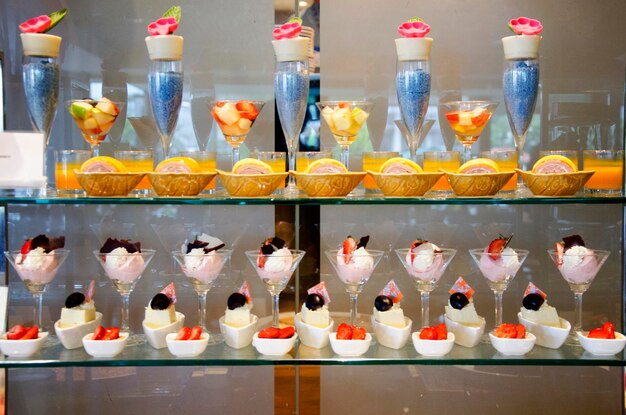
(165, 85)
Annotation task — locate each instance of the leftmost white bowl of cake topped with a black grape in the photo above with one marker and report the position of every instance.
(78, 318)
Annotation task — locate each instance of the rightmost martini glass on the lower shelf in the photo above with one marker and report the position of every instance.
(579, 271)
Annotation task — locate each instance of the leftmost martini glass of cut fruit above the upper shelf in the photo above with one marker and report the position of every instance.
(93, 123)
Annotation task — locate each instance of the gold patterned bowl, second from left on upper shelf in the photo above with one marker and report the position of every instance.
(179, 184)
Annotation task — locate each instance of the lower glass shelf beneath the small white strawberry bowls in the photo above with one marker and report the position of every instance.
(221, 355)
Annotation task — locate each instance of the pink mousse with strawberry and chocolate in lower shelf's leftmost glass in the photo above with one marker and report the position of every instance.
(36, 261)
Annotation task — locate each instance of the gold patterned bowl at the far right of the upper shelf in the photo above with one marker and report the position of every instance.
(558, 184)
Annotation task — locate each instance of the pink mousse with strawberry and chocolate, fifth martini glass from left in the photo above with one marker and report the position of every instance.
(353, 261)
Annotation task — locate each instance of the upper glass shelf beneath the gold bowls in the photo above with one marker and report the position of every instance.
(352, 200)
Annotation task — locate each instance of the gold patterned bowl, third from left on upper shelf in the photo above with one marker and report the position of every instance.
(251, 185)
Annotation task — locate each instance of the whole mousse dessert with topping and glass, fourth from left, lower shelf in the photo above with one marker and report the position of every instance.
(274, 263)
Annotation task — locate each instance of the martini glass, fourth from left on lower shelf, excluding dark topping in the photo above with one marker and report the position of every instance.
(275, 281)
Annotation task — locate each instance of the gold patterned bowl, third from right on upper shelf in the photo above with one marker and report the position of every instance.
(411, 184)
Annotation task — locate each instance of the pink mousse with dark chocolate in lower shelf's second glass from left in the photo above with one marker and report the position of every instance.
(123, 260)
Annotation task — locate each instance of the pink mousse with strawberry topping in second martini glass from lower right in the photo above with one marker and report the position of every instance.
(501, 261)
